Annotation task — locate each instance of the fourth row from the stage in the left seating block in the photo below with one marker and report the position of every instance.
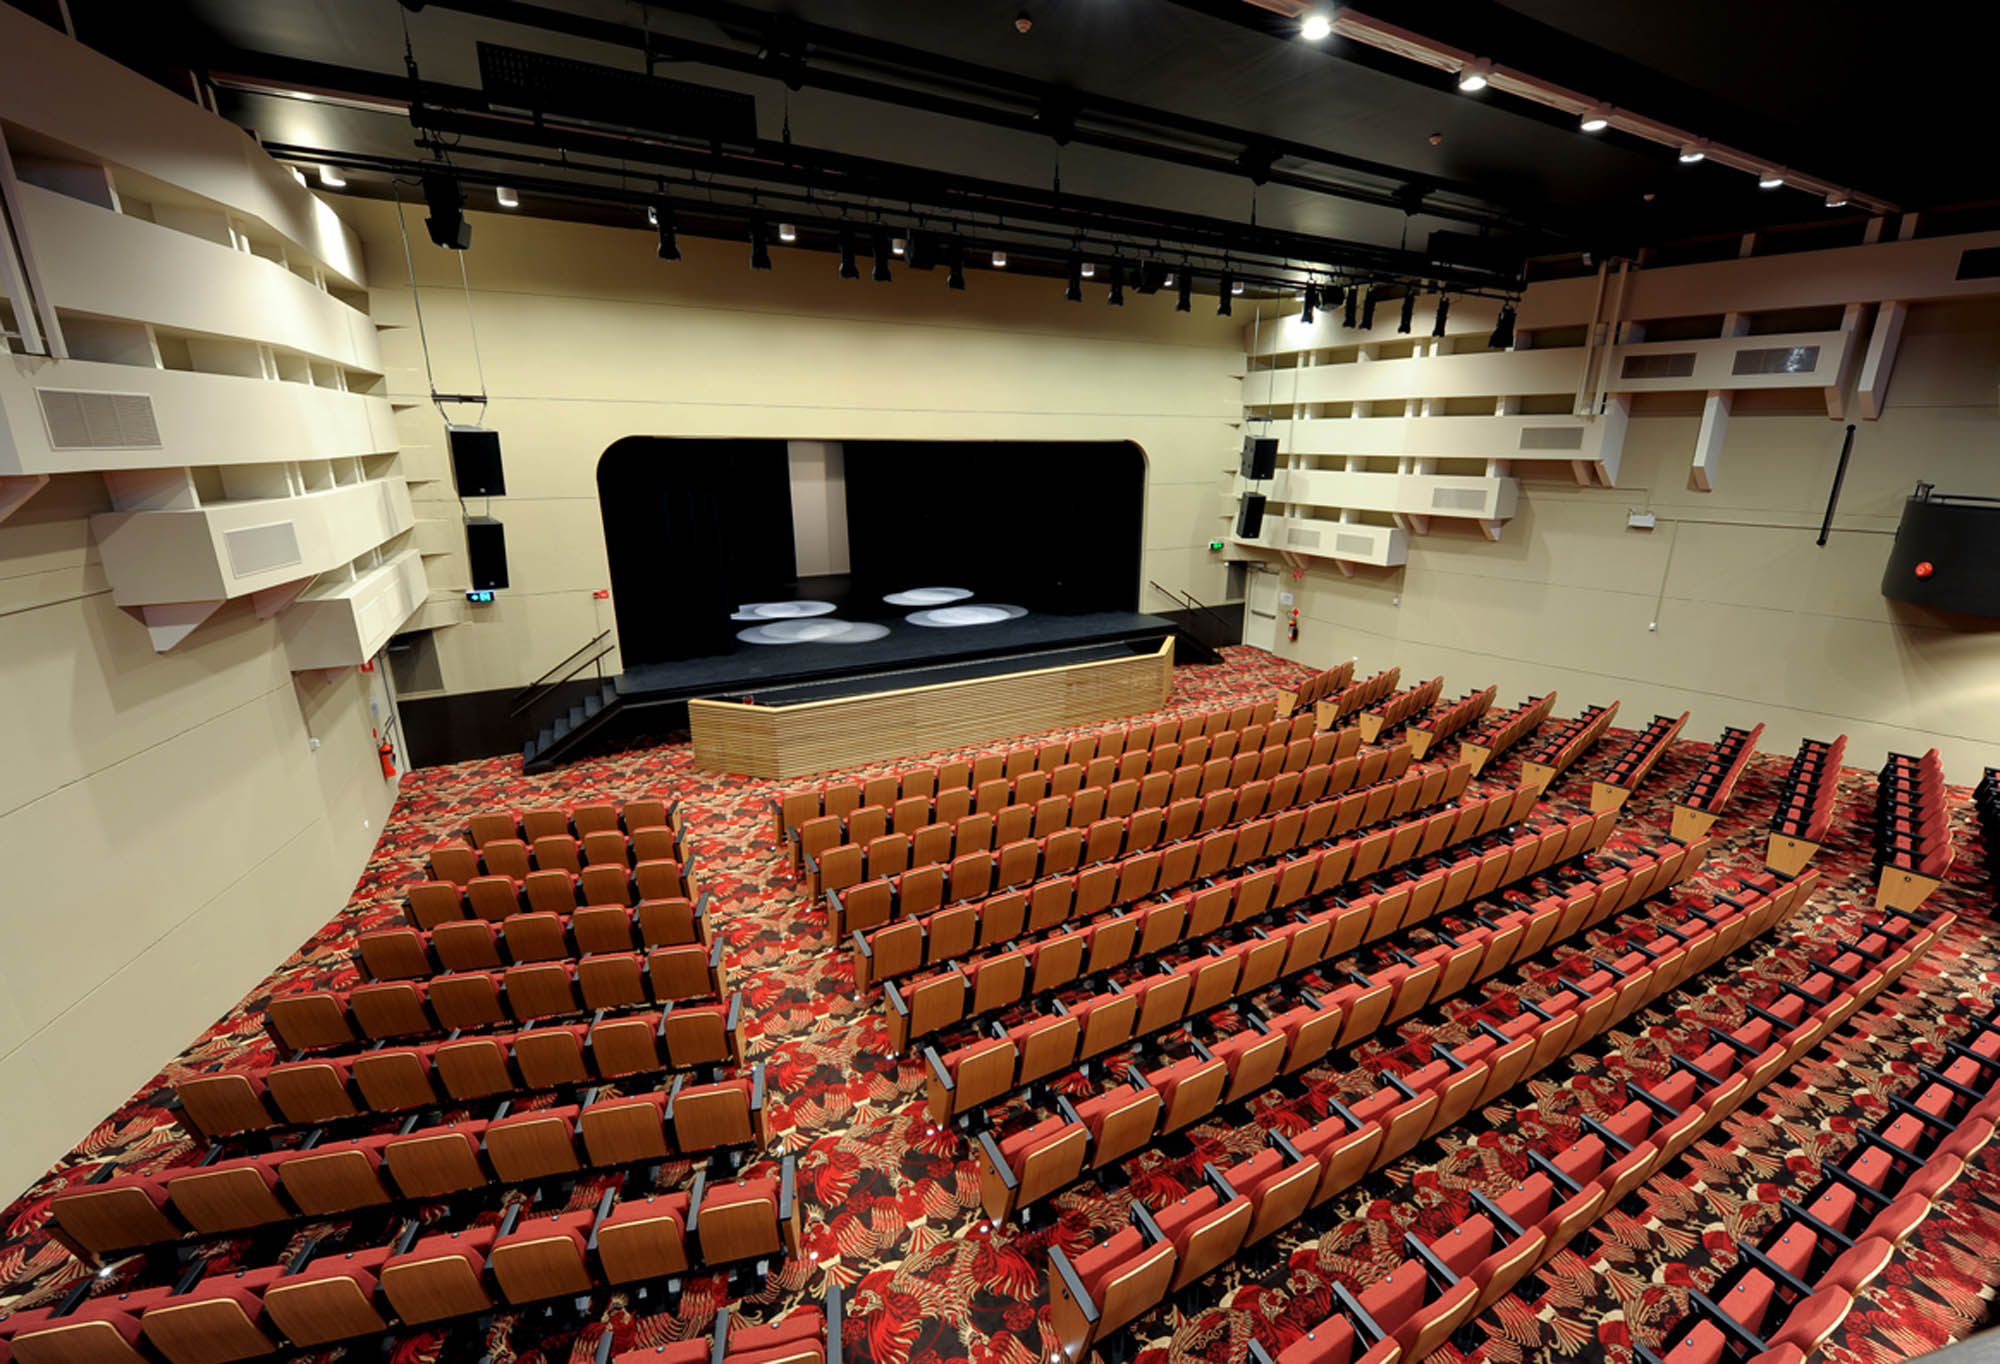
(403, 953)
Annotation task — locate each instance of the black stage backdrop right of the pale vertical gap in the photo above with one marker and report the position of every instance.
(1049, 525)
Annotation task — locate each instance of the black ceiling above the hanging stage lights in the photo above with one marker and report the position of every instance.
(1177, 99)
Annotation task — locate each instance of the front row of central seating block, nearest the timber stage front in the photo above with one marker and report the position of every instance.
(841, 799)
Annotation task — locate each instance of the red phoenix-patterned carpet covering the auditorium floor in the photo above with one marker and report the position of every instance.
(893, 1209)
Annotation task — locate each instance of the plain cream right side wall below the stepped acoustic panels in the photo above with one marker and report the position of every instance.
(1755, 621)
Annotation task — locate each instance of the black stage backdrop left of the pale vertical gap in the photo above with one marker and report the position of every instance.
(693, 529)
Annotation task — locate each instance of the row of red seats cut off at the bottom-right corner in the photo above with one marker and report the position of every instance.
(1789, 1295)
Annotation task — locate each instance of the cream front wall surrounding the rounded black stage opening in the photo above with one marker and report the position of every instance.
(587, 337)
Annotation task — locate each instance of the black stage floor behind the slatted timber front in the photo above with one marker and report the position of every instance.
(905, 657)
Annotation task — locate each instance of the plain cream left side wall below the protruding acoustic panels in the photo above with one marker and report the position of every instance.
(169, 831)
